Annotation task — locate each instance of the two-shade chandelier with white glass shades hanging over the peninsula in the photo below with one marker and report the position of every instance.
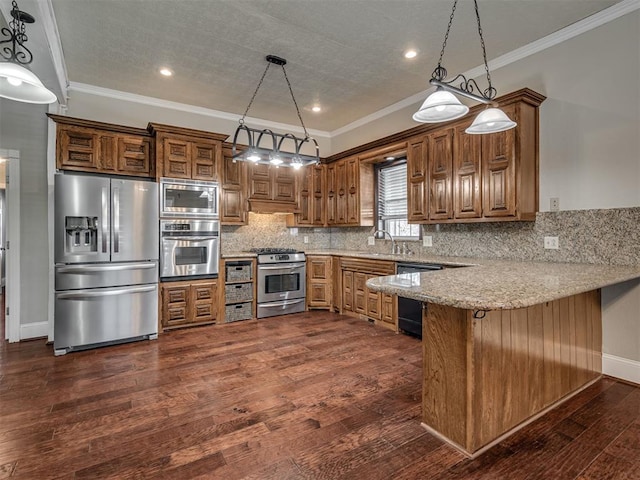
(443, 105)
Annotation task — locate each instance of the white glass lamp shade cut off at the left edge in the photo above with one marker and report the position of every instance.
(19, 84)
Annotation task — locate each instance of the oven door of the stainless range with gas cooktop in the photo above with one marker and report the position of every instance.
(281, 281)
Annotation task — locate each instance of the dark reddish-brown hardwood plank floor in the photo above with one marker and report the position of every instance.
(307, 396)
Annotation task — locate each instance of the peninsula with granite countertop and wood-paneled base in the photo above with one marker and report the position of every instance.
(504, 341)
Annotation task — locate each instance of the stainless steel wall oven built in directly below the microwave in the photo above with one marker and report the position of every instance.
(189, 248)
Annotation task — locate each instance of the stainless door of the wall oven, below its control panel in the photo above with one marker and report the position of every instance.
(189, 256)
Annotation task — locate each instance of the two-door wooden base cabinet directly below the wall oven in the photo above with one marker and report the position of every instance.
(188, 303)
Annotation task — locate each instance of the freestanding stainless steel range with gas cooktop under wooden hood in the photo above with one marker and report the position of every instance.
(281, 281)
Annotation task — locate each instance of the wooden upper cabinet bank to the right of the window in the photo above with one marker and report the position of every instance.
(477, 178)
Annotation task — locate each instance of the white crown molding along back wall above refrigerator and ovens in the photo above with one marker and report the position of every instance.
(183, 107)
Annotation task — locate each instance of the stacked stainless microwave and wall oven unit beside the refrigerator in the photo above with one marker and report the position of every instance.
(189, 229)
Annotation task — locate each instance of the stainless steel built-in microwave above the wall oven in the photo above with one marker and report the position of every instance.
(188, 198)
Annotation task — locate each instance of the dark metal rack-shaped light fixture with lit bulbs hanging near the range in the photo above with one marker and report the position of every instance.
(266, 146)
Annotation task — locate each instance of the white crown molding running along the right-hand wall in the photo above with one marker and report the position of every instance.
(597, 19)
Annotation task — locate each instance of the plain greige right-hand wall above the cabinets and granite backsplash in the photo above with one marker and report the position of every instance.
(589, 124)
